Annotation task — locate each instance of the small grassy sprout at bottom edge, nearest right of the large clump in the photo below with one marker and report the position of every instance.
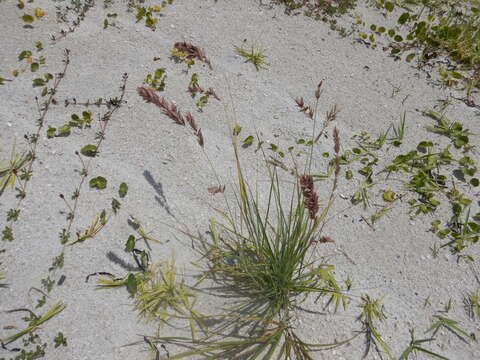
(372, 311)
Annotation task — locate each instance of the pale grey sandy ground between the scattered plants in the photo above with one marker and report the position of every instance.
(168, 175)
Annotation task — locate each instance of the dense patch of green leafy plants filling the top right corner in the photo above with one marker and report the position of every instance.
(428, 30)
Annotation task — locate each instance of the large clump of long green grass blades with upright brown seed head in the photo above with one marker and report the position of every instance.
(262, 253)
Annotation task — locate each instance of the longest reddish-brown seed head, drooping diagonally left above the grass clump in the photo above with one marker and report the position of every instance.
(171, 111)
